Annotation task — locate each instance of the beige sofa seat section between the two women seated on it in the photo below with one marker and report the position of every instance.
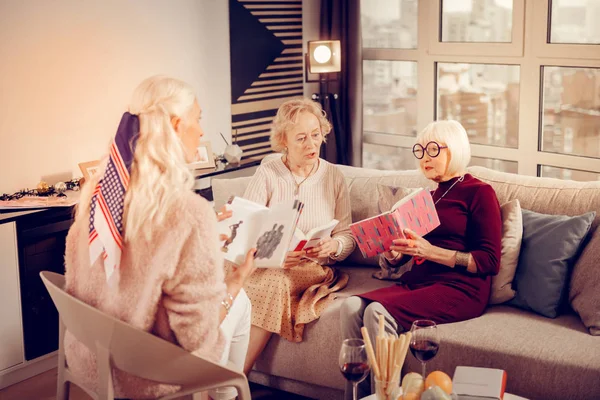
(315, 359)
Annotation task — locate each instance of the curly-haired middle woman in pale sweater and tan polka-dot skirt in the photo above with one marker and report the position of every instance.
(285, 300)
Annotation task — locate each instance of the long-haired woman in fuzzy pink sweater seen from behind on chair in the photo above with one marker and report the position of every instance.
(144, 248)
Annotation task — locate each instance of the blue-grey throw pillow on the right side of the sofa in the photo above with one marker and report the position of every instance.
(551, 244)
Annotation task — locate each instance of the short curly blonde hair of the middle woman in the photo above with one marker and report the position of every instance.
(287, 115)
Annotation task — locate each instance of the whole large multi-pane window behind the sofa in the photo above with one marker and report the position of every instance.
(530, 104)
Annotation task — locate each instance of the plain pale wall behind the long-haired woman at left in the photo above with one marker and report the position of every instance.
(68, 68)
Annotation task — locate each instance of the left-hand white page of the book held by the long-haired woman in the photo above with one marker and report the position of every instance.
(241, 228)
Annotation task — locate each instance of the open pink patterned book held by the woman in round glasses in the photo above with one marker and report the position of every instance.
(416, 212)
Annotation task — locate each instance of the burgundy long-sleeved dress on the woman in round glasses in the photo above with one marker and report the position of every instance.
(470, 222)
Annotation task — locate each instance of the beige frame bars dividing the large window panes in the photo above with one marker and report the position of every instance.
(526, 53)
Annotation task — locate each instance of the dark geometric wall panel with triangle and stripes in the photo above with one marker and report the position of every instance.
(266, 67)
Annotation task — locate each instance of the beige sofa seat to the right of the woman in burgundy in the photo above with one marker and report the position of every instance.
(544, 358)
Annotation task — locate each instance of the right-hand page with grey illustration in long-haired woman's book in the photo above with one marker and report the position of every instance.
(274, 234)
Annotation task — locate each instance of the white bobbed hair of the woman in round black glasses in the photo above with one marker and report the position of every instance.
(453, 135)
